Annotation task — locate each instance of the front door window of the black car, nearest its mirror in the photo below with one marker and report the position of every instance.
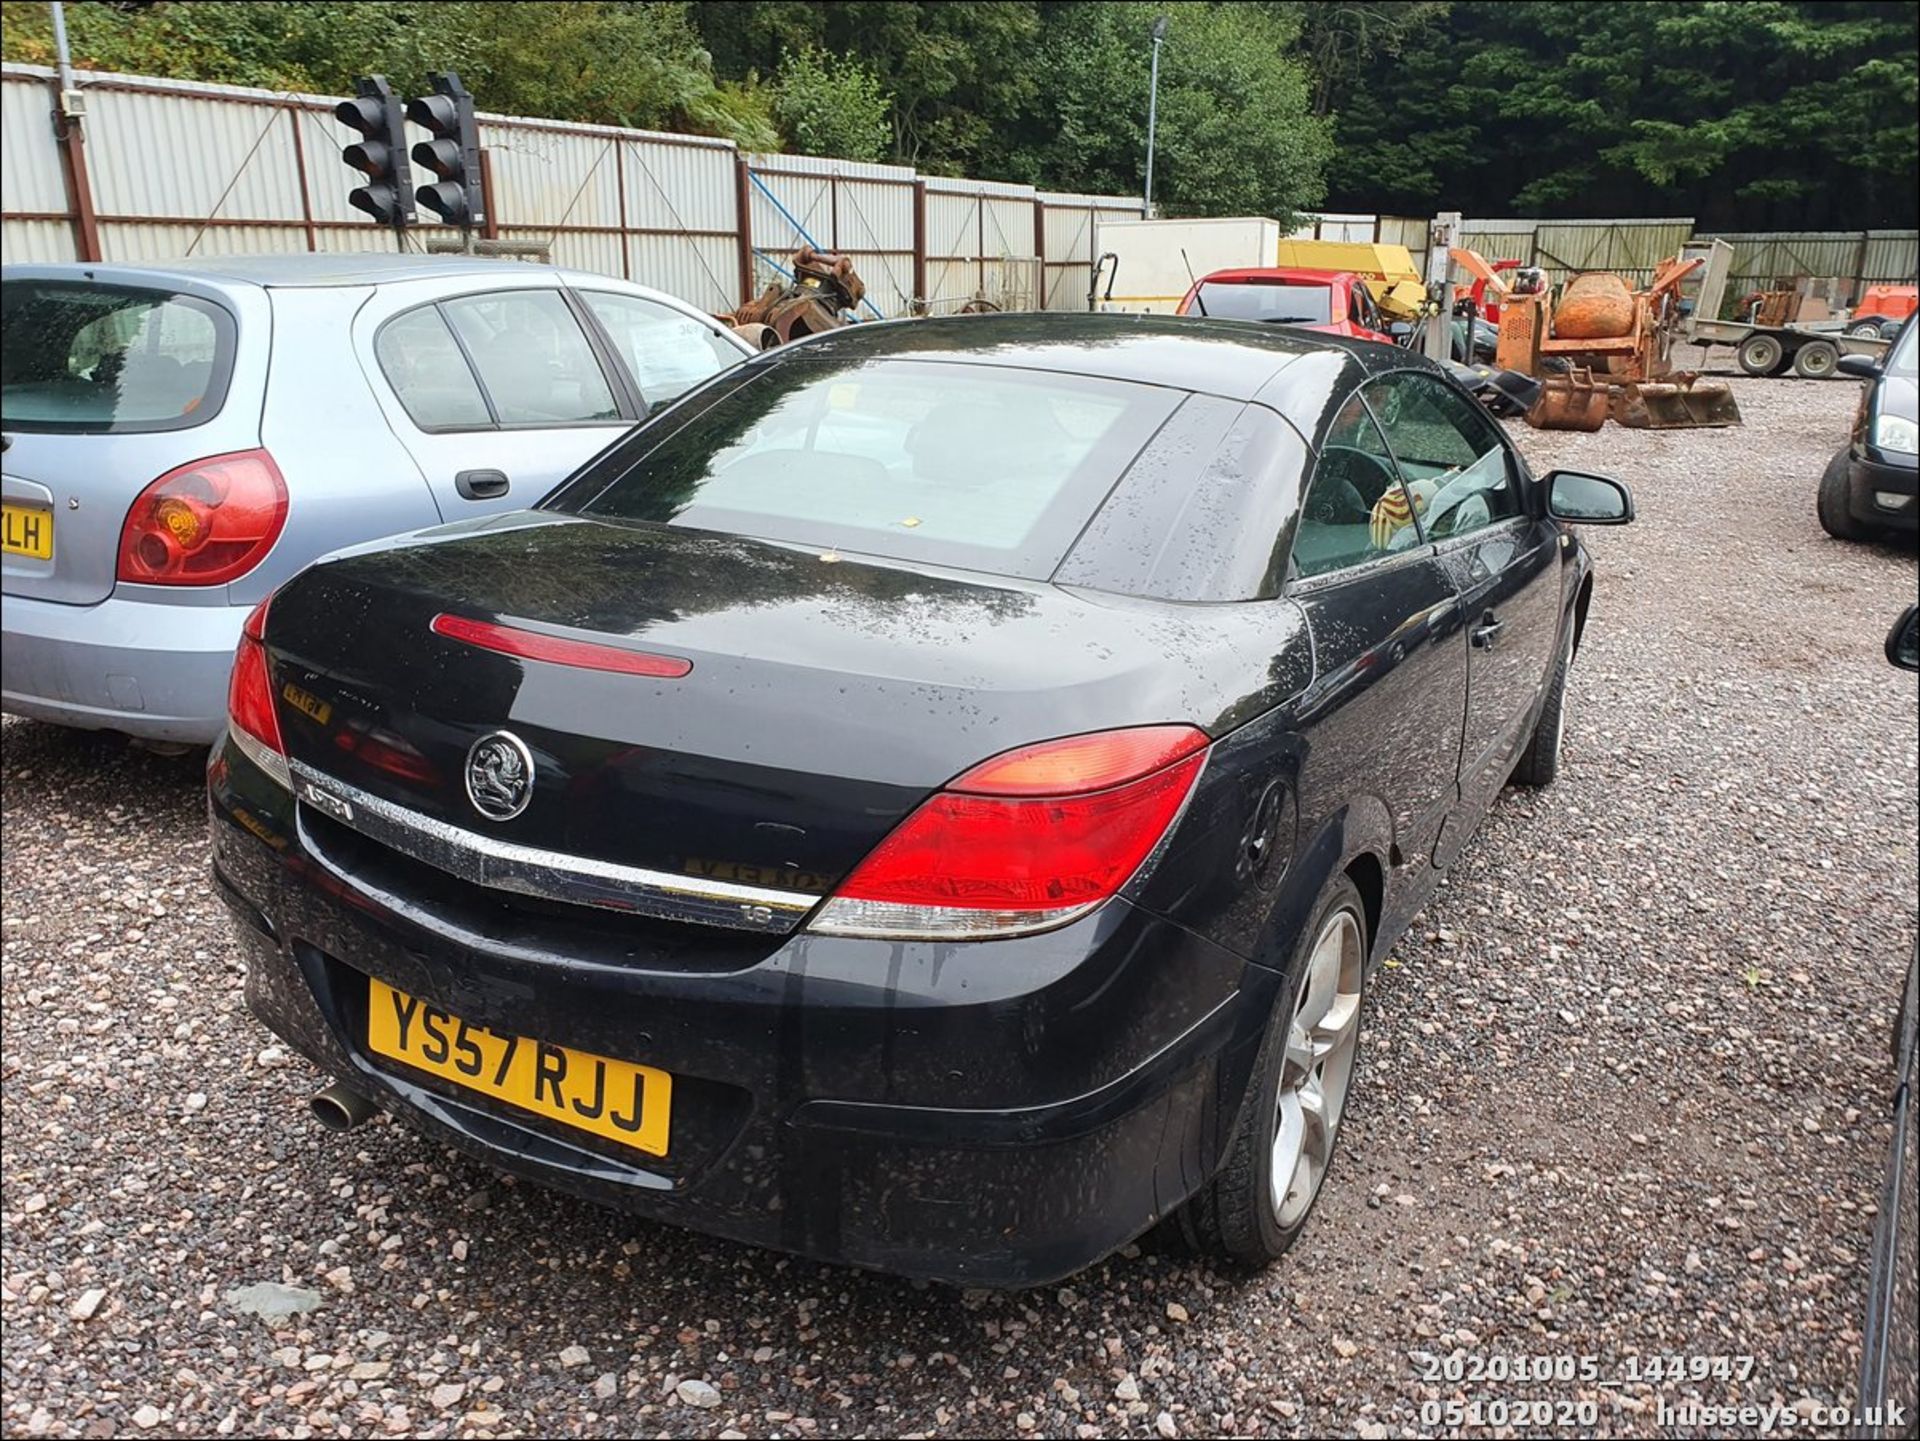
(1451, 454)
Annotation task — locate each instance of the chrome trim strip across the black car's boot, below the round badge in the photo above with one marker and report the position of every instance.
(552, 874)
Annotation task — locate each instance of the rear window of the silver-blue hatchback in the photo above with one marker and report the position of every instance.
(91, 358)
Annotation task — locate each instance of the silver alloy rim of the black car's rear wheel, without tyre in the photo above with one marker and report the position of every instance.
(1322, 1047)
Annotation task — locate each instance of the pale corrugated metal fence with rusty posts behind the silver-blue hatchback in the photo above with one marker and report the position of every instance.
(174, 168)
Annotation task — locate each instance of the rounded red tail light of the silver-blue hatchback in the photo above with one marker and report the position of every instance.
(206, 523)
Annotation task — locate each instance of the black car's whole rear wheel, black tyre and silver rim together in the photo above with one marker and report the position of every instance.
(1303, 1079)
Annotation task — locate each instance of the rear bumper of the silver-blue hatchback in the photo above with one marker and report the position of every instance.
(149, 669)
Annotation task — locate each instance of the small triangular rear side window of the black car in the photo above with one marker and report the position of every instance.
(1356, 509)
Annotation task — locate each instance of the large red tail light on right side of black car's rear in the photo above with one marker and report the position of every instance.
(1024, 841)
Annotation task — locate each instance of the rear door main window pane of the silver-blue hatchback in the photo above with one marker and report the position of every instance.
(533, 358)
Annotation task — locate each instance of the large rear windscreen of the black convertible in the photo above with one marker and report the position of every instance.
(961, 465)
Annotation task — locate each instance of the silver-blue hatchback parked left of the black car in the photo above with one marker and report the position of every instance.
(181, 438)
